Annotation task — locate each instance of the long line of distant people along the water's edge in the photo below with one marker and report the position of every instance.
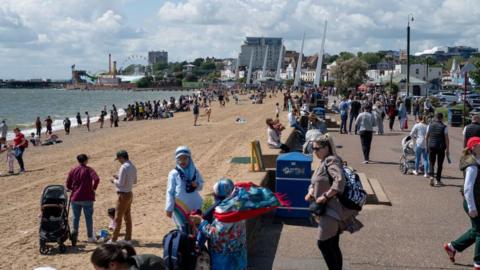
(147, 110)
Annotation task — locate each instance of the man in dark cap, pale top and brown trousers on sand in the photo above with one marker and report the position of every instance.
(126, 178)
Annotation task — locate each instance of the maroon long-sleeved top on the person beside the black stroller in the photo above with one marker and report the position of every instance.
(82, 181)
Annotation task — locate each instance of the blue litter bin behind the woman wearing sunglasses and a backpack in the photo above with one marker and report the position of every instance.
(293, 174)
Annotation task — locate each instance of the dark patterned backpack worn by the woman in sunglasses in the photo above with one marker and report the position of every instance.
(353, 196)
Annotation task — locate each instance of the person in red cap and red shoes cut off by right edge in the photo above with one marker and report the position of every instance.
(469, 164)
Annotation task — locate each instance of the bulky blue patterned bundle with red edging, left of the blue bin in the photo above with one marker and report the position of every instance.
(248, 201)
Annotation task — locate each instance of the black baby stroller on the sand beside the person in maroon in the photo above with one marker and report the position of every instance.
(54, 227)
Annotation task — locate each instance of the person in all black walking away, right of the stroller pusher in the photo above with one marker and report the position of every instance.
(438, 145)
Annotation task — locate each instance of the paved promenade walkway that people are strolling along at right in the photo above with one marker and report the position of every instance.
(407, 235)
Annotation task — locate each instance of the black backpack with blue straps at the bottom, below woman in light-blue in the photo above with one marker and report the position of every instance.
(179, 251)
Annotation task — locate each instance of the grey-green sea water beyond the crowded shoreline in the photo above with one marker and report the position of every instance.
(21, 107)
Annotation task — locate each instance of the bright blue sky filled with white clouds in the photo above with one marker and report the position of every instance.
(43, 38)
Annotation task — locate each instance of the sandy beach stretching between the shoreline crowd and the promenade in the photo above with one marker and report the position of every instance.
(151, 145)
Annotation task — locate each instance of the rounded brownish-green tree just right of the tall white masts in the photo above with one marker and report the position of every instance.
(349, 74)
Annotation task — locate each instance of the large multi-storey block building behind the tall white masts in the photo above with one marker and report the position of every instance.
(258, 46)
